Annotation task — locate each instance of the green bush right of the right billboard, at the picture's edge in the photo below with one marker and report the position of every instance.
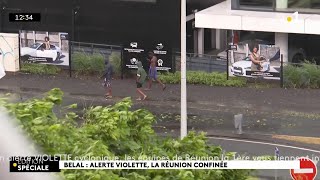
(305, 76)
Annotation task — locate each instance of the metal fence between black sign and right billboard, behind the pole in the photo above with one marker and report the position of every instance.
(201, 62)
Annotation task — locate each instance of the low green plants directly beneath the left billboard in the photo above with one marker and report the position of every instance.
(41, 69)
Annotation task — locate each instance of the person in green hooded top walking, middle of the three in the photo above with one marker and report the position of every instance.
(152, 58)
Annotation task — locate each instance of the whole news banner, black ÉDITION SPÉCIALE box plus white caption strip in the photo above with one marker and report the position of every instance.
(54, 164)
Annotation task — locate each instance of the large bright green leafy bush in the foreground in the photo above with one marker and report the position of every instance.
(113, 131)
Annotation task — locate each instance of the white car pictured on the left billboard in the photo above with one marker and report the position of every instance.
(37, 52)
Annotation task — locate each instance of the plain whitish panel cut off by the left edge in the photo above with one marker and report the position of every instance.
(9, 53)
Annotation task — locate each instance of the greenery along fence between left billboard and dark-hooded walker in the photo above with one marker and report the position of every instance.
(84, 63)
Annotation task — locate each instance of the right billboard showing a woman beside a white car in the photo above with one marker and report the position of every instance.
(264, 63)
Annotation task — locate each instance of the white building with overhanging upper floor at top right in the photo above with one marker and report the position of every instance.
(287, 20)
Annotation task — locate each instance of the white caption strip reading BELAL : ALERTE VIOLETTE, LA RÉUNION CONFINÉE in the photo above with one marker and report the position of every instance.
(179, 164)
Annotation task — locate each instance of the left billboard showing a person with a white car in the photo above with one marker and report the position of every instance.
(44, 47)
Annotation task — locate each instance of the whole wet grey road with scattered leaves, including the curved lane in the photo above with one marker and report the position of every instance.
(210, 109)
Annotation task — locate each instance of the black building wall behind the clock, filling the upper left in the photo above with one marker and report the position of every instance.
(105, 22)
